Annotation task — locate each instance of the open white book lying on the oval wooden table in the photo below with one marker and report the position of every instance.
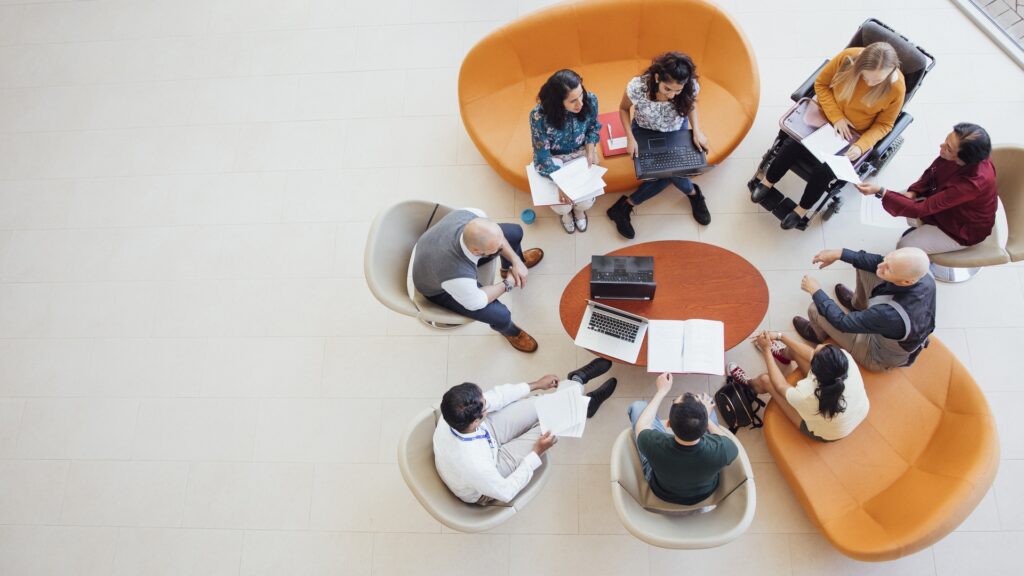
(687, 346)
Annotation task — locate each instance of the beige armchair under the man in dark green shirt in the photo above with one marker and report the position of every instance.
(676, 526)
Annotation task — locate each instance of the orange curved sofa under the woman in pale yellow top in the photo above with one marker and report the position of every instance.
(910, 475)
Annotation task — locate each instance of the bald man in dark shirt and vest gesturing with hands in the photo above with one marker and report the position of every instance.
(892, 312)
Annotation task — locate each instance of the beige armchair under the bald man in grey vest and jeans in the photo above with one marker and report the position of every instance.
(388, 260)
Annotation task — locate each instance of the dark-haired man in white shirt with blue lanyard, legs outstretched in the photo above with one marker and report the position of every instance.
(489, 443)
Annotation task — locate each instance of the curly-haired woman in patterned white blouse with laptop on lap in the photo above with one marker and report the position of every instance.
(663, 99)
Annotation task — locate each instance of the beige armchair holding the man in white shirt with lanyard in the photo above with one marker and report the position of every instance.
(416, 461)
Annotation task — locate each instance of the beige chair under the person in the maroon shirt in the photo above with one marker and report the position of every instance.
(963, 265)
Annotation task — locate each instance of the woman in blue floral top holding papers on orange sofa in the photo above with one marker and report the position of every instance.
(564, 127)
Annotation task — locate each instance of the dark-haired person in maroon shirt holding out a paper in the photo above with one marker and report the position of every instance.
(953, 205)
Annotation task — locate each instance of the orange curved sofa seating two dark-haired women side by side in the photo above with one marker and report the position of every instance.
(608, 43)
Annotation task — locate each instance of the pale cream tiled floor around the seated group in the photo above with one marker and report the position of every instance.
(194, 377)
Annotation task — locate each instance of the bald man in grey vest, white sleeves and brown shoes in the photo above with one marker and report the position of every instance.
(446, 263)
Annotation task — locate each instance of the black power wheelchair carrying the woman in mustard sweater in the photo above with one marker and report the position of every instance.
(915, 64)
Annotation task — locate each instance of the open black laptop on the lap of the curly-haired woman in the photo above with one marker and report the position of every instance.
(661, 155)
